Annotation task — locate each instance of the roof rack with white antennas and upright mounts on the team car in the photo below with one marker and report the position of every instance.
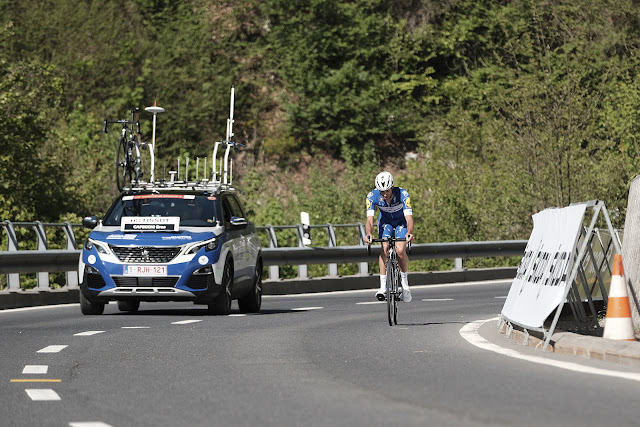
(219, 179)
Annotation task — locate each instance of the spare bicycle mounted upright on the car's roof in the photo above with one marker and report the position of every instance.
(128, 165)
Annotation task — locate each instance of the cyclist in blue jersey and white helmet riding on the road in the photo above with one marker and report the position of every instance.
(395, 220)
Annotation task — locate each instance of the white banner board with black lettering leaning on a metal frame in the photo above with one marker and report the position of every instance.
(541, 280)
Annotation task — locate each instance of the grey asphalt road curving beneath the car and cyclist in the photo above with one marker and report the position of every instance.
(306, 360)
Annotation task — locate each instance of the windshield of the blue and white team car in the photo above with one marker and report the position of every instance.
(194, 211)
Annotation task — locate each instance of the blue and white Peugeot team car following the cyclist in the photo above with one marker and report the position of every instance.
(172, 243)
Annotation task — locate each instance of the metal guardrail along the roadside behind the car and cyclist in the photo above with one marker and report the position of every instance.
(43, 261)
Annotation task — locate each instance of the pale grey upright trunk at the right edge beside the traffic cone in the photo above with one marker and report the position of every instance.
(631, 250)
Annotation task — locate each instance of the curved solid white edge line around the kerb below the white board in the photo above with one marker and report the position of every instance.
(470, 333)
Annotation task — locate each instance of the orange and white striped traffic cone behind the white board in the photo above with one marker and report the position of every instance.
(618, 324)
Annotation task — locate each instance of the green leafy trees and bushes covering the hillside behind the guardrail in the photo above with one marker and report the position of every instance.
(487, 112)
